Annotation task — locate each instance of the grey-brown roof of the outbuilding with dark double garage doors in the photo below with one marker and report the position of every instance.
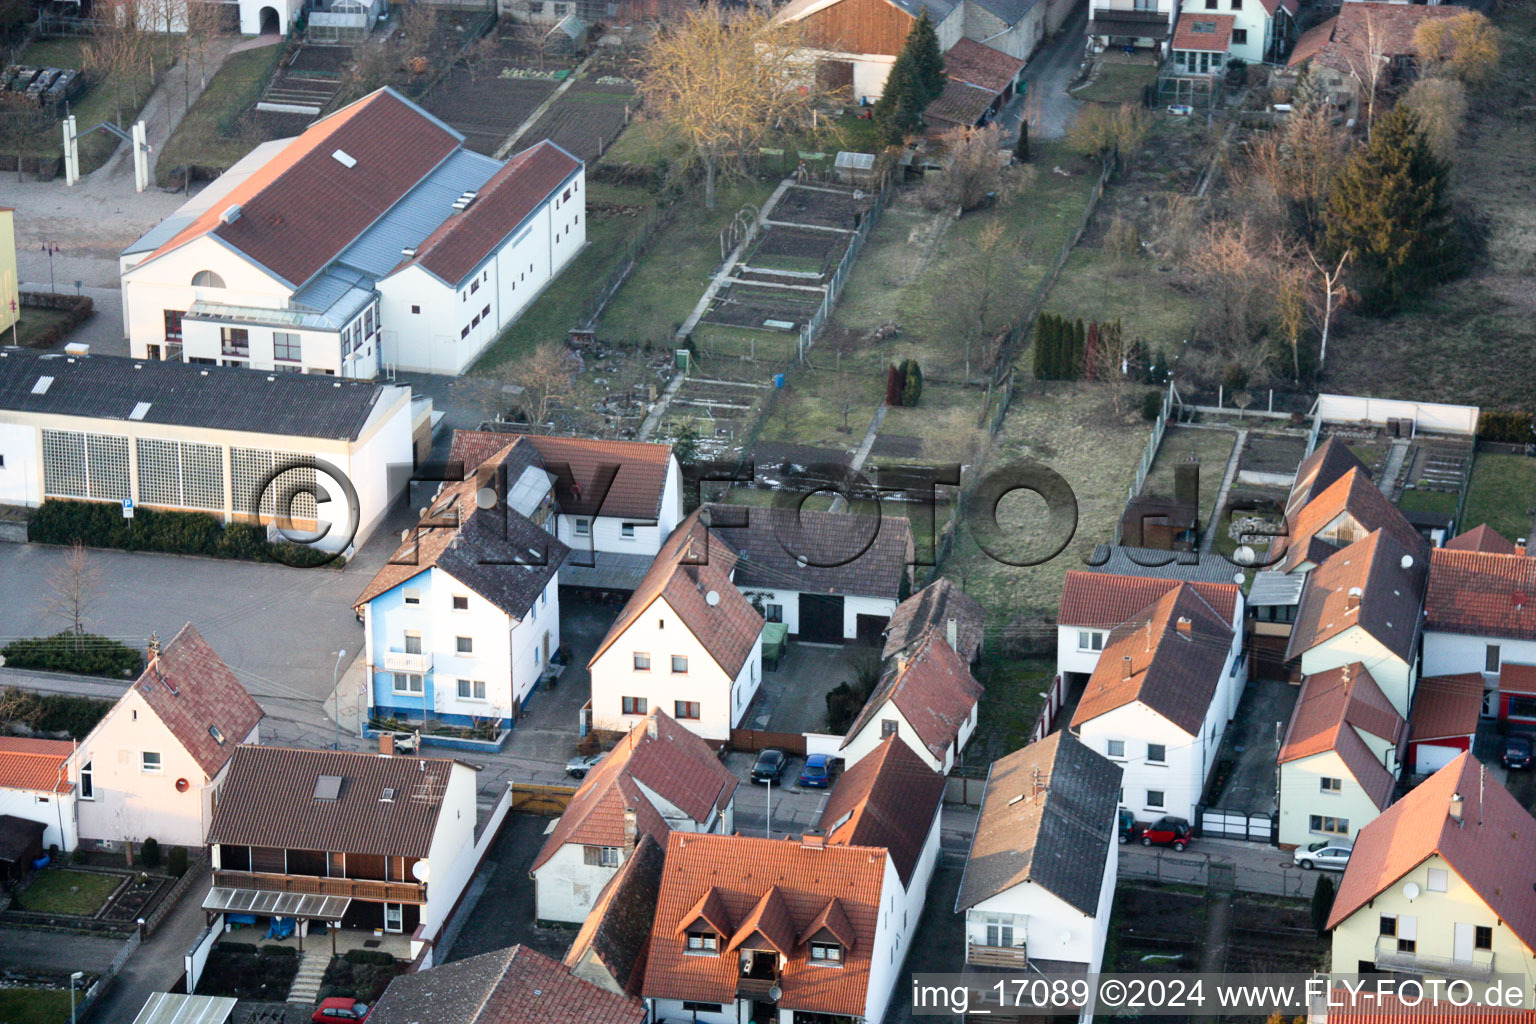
(846, 553)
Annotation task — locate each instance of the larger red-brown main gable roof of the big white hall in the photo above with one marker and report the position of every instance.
(305, 206)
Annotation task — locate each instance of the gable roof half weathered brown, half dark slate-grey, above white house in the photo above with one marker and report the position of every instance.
(1058, 836)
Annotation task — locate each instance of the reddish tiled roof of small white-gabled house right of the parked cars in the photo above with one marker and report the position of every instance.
(935, 692)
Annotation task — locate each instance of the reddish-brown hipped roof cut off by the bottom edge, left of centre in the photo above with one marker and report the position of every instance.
(509, 986)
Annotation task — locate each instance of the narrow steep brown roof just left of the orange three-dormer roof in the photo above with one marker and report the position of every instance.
(618, 930)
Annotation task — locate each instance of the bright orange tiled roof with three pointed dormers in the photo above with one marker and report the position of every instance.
(737, 871)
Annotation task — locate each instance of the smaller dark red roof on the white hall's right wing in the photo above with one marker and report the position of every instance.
(463, 242)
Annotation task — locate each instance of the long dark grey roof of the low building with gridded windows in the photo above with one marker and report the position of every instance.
(187, 395)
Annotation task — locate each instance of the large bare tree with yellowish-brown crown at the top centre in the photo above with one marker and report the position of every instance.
(723, 81)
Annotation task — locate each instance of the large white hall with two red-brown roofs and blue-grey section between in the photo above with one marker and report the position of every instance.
(374, 242)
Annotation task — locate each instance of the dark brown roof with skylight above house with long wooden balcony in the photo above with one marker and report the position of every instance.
(270, 799)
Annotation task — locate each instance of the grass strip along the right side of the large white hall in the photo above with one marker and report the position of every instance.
(560, 306)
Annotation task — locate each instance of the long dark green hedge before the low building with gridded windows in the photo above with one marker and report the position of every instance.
(102, 526)
